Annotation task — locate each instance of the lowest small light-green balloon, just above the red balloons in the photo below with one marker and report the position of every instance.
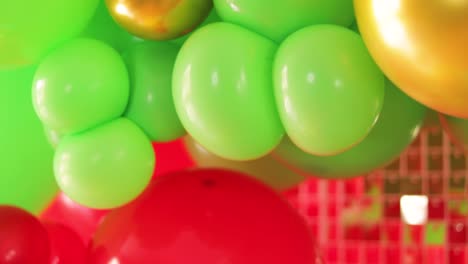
(105, 167)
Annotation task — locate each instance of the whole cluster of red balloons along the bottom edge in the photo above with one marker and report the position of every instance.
(180, 218)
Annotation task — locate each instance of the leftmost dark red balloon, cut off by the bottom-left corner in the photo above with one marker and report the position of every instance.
(23, 239)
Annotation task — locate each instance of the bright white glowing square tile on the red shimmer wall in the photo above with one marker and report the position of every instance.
(414, 209)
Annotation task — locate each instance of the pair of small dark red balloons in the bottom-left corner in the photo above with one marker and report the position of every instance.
(24, 239)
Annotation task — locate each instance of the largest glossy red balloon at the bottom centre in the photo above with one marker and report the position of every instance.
(204, 216)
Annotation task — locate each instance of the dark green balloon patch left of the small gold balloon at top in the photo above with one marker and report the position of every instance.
(103, 27)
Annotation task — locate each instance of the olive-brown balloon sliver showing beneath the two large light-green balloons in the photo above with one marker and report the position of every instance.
(266, 169)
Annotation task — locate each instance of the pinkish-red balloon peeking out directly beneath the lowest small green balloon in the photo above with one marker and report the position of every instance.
(82, 220)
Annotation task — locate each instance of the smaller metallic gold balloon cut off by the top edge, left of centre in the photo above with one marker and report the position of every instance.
(159, 19)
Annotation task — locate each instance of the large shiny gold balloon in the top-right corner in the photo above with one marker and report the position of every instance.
(422, 46)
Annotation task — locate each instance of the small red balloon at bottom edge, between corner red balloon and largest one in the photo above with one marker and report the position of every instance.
(66, 245)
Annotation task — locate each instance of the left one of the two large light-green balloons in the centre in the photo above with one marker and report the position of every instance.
(223, 91)
